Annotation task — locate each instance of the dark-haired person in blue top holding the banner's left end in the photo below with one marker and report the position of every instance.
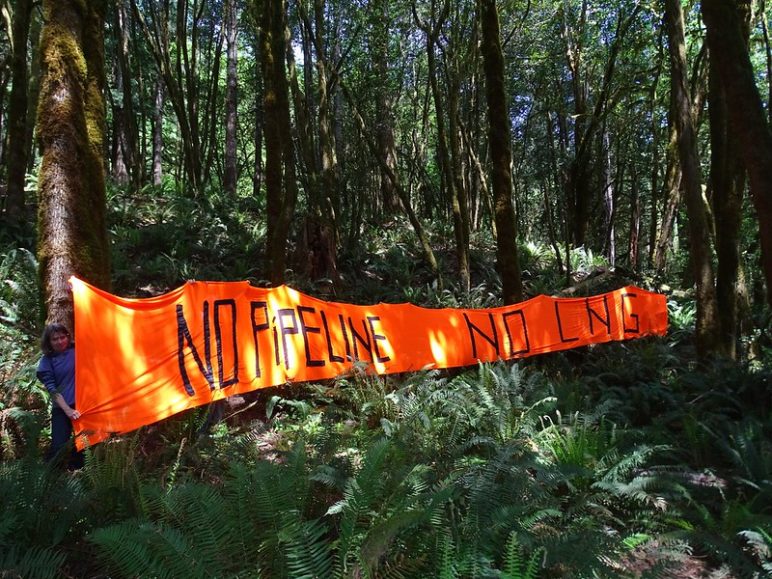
(56, 370)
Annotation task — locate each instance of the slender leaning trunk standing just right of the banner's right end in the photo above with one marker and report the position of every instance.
(707, 324)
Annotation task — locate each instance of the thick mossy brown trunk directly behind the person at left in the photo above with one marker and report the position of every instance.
(71, 127)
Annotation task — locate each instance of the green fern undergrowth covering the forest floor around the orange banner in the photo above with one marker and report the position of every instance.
(618, 460)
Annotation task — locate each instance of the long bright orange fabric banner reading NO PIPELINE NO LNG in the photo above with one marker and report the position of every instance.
(141, 360)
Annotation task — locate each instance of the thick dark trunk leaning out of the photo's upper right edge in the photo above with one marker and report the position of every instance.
(747, 120)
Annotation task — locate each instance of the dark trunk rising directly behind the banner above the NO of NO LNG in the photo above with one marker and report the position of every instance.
(507, 259)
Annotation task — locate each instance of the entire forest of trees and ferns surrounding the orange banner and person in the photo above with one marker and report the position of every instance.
(443, 153)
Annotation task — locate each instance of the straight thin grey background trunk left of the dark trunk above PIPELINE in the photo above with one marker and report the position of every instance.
(231, 19)
